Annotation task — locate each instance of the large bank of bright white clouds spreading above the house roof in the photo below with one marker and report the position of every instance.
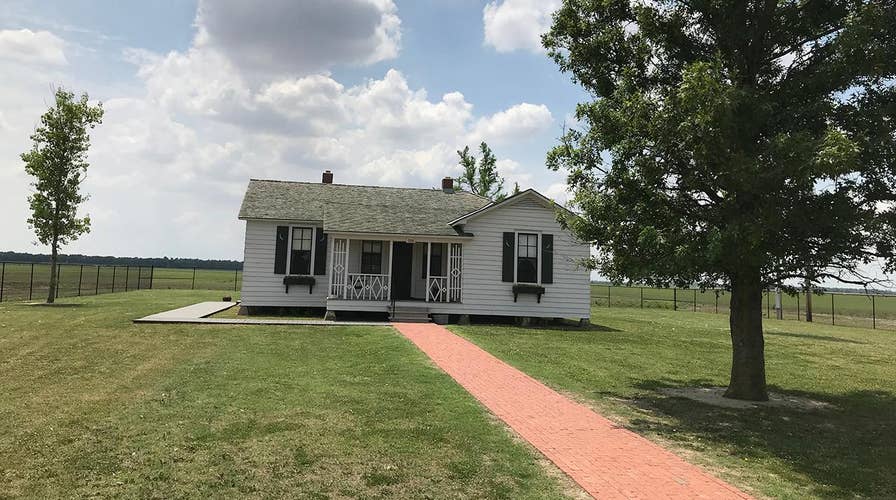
(171, 160)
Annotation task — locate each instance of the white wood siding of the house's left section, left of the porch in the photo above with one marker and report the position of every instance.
(261, 287)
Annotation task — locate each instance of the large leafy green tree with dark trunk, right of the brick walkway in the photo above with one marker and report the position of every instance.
(741, 144)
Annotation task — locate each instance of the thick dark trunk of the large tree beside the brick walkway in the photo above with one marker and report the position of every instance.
(748, 346)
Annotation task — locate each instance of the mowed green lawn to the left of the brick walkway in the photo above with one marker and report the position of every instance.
(92, 405)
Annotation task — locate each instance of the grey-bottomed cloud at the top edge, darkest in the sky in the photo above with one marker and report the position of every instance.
(285, 36)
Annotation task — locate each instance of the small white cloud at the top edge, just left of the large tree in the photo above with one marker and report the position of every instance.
(517, 24)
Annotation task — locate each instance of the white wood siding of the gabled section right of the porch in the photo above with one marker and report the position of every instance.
(484, 292)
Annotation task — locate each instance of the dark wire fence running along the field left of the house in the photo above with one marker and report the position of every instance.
(30, 281)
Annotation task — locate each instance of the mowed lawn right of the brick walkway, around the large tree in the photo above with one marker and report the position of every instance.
(619, 367)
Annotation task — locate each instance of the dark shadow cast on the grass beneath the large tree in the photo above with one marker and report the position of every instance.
(847, 449)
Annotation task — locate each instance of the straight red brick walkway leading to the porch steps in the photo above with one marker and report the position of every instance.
(605, 459)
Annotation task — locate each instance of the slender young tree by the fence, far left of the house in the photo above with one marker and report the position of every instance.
(57, 163)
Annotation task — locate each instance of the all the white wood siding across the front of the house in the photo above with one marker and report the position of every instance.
(483, 292)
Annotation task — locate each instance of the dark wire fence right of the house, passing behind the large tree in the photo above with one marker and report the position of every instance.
(845, 309)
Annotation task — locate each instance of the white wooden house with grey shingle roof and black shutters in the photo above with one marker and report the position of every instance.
(409, 252)
